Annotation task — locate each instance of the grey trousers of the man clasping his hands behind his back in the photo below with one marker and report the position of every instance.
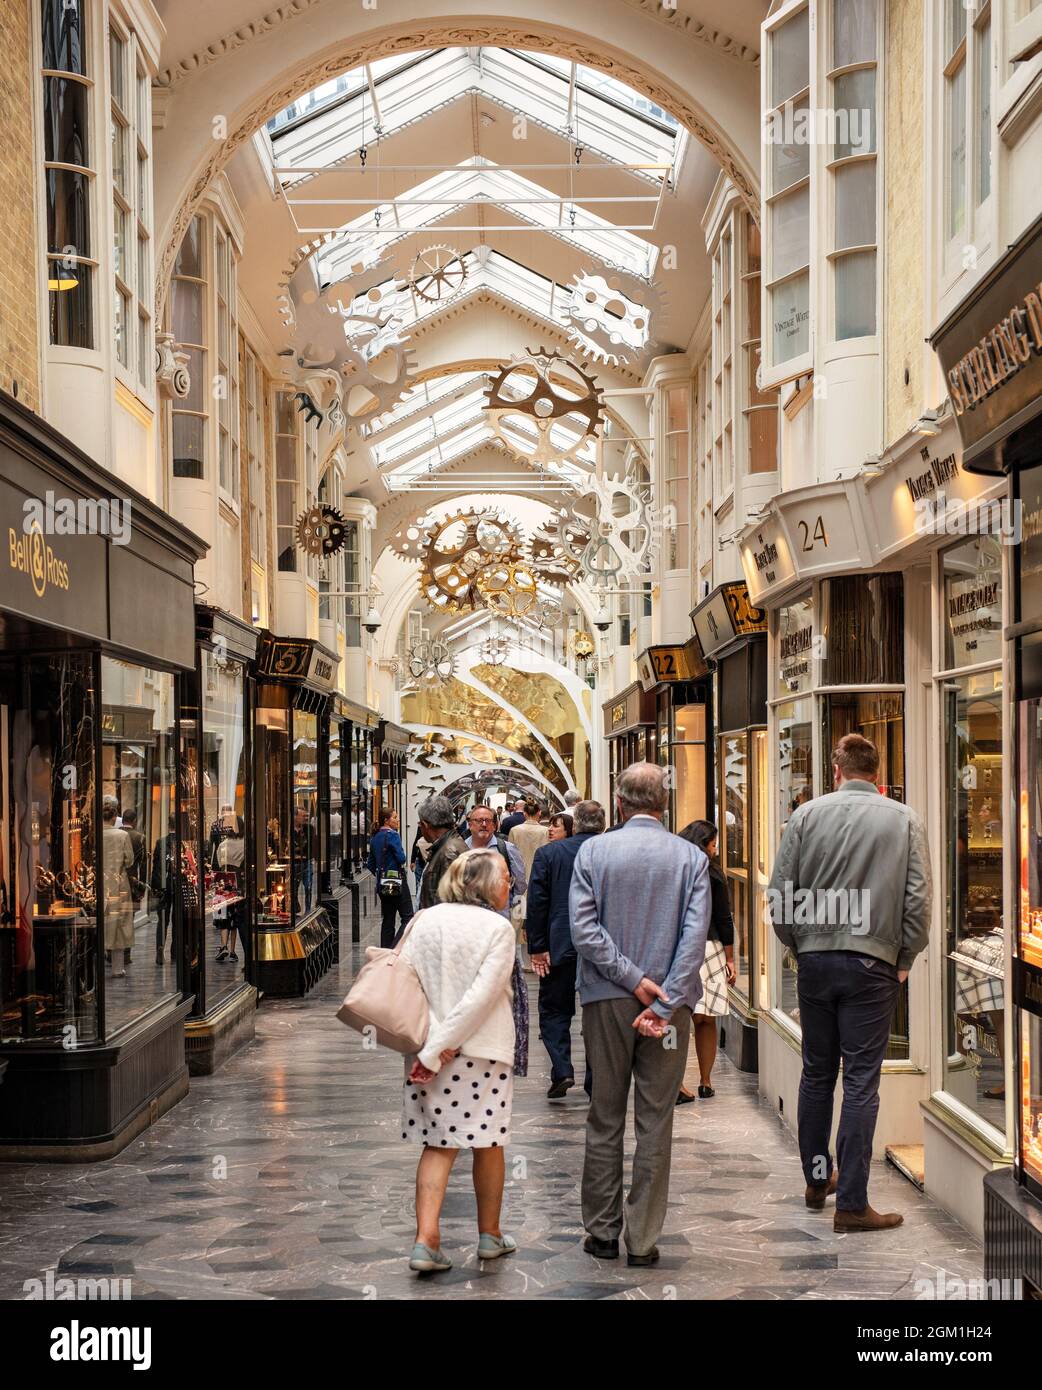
(616, 1053)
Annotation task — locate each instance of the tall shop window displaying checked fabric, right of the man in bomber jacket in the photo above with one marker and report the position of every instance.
(975, 975)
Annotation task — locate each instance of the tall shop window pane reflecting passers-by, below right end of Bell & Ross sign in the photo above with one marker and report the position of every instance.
(138, 821)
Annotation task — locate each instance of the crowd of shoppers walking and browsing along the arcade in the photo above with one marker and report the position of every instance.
(641, 926)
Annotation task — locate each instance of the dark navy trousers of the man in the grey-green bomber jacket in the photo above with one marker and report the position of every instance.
(847, 1006)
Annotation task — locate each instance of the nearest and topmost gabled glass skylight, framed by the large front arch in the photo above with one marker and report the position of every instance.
(602, 115)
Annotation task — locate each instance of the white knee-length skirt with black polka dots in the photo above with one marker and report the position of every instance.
(468, 1106)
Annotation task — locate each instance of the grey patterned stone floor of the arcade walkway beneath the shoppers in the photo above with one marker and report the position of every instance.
(286, 1177)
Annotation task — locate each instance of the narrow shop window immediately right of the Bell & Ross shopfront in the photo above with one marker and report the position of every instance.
(224, 822)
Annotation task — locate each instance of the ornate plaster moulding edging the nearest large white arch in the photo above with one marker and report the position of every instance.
(456, 35)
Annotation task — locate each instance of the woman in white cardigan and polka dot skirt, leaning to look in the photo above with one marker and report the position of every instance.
(459, 1089)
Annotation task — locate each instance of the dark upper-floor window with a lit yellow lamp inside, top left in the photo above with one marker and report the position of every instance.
(69, 173)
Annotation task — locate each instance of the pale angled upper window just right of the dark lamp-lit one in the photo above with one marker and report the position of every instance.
(131, 131)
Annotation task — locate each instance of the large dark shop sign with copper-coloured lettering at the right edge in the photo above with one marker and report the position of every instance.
(991, 354)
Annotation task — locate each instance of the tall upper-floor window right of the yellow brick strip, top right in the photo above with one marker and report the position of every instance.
(968, 119)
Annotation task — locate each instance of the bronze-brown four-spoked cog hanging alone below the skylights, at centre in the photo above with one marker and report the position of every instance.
(544, 407)
